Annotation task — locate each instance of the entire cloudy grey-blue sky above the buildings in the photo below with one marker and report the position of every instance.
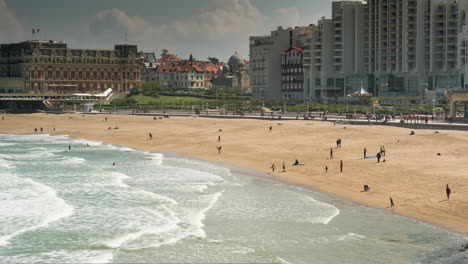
(204, 28)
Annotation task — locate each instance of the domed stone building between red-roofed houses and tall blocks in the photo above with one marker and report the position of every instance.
(234, 74)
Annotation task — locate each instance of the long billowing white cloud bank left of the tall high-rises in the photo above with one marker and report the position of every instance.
(223, 19)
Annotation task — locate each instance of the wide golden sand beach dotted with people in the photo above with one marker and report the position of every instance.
(412, 174)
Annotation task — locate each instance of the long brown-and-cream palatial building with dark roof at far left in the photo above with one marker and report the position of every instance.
(51, 67)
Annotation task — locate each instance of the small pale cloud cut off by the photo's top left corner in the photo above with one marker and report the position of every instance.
(11, 29)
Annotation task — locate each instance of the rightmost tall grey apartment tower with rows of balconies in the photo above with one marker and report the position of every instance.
(413, 46)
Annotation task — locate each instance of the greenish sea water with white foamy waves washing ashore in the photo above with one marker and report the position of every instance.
(75, 205)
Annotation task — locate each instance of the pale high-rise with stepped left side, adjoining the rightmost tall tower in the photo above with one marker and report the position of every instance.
(333, 54)
